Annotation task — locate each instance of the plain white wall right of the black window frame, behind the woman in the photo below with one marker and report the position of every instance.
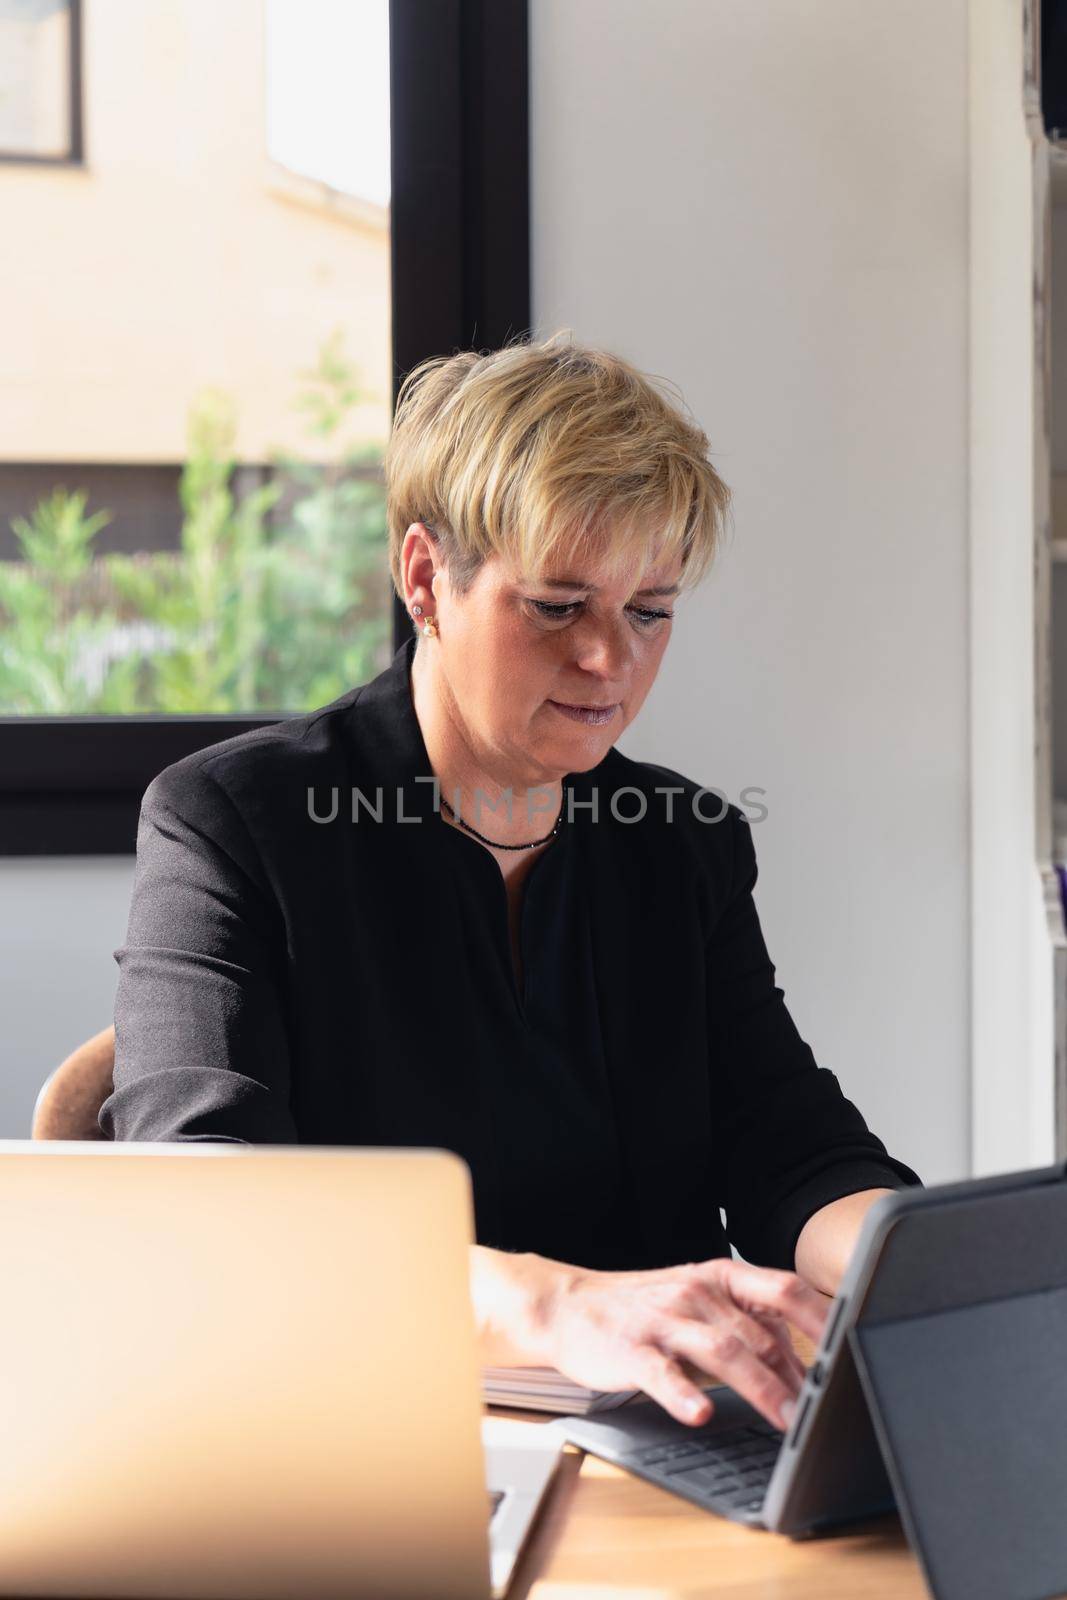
(767, 202)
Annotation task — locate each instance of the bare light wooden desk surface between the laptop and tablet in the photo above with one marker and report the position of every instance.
(605, 1534)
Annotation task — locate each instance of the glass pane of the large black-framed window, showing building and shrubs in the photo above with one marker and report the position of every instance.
(199, 375)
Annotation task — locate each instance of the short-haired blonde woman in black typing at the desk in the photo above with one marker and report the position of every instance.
(447, 911)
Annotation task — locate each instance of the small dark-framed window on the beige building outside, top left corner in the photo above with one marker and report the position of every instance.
(41, 81)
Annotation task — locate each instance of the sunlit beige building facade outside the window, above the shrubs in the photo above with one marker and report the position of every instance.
(180, 257)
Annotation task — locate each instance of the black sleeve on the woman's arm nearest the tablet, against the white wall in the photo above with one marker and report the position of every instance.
(788, 1142)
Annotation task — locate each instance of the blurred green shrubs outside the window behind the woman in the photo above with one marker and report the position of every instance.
(278, 599)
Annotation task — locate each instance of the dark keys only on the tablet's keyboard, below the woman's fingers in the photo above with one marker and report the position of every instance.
(727, 1470)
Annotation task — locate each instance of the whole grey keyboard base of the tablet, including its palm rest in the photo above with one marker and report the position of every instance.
(724, 1466)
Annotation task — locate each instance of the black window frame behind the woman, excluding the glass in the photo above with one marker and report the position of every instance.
(460, 252)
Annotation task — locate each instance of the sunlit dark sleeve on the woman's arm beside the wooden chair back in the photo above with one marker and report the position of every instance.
(201, 1046)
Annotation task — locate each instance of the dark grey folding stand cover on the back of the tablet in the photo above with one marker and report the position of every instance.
(962, 1351)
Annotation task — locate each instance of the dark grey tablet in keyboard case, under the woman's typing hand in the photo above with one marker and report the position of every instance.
(940, 1390)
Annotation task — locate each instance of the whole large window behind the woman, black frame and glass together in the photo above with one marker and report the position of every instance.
(295, 202)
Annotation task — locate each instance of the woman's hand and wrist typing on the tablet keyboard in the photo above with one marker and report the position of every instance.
(671, 1330)
